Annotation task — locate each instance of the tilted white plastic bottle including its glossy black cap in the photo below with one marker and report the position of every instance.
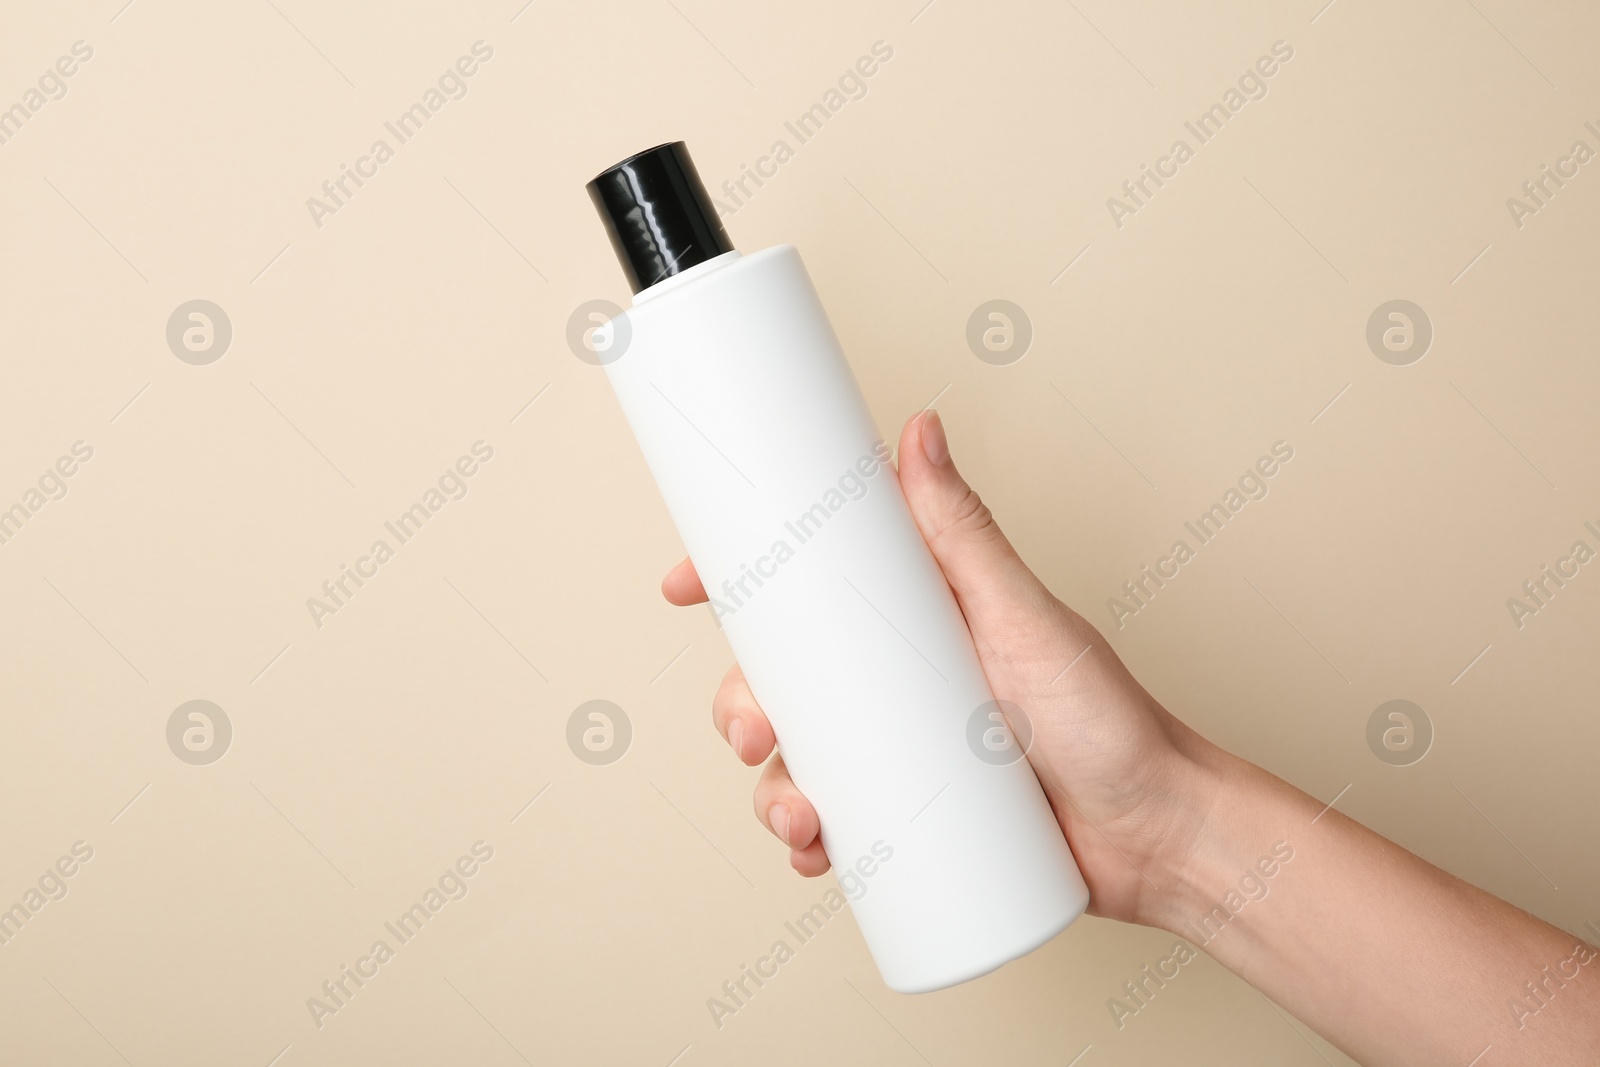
(764, 449)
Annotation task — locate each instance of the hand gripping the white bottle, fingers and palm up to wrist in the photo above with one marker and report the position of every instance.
(1121, 773)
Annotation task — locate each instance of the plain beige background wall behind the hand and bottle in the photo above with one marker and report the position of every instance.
(372, 353)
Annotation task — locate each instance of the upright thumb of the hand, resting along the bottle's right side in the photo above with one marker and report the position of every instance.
(991, 581)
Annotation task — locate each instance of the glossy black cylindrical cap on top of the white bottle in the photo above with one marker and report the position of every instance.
(657, 212)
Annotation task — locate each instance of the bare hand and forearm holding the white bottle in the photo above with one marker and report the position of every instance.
(1386, 956)
